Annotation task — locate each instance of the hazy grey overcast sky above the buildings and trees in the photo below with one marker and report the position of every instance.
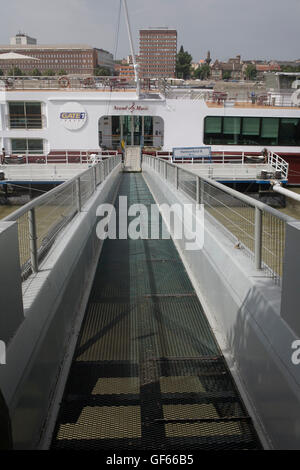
(253, 28)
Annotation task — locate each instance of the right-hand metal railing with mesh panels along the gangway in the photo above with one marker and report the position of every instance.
(257, 227)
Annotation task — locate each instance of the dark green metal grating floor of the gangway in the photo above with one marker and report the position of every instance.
(147, 373)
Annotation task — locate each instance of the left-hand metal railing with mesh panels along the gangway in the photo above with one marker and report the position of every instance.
(42, 219)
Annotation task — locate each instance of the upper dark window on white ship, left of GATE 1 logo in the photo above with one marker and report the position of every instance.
(25, 115)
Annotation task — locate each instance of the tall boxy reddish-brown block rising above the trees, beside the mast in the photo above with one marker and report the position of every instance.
(158, 49)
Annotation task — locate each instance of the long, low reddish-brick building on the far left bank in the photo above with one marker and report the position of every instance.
(73, 59)
